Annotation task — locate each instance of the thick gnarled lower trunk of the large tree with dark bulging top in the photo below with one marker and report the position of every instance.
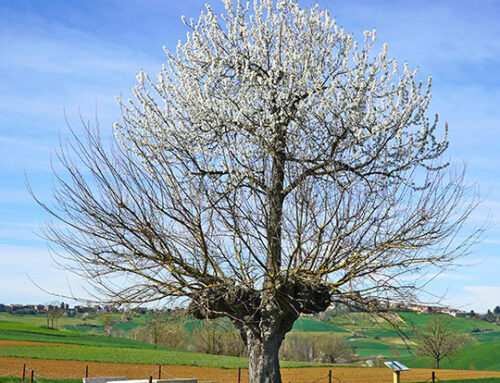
(263, 319)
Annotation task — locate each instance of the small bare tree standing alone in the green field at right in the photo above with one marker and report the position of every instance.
(438, 339)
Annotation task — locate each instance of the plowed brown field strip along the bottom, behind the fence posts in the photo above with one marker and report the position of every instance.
(73, 369)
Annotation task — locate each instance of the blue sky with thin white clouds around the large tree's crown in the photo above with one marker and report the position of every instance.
(70, 58)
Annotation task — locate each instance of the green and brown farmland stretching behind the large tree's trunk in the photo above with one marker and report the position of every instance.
(24, 338)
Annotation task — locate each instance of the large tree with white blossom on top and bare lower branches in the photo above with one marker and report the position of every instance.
(275, 167)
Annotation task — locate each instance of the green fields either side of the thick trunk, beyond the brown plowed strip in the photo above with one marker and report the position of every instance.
(367, 338)
